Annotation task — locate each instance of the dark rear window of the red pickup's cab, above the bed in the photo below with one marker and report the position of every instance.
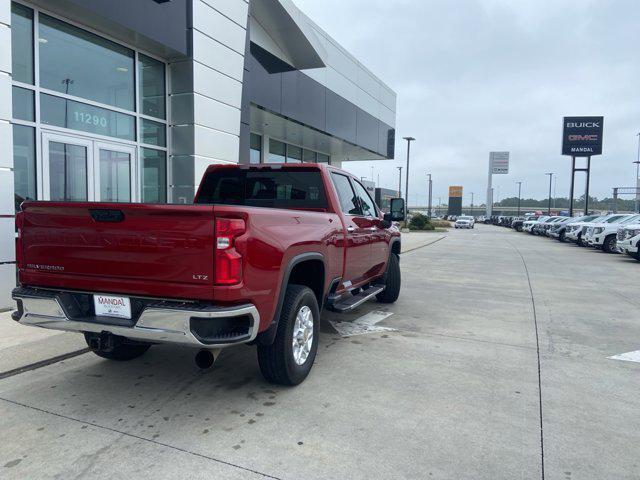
(290, 189)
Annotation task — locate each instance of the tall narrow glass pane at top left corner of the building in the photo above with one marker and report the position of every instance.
(22, 43)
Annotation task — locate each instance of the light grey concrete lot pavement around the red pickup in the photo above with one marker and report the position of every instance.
(493, 364)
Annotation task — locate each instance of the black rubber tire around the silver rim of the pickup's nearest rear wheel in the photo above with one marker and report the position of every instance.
(277, 362)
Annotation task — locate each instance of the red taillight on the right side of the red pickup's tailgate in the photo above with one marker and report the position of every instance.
(228, 262)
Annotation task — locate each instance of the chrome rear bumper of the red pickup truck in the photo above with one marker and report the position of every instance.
(157, 323)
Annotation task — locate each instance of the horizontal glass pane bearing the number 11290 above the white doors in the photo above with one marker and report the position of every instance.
(87, 118)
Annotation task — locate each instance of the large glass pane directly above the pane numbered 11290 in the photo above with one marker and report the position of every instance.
(85, 65)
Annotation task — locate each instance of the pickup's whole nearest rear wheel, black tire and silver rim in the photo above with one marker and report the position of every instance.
(288, 360)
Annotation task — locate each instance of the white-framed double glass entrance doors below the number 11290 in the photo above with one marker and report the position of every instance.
(79, 169)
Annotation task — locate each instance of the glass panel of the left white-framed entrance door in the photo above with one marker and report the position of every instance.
(67, 172)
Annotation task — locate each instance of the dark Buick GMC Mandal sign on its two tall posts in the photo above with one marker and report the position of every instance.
(581, 137)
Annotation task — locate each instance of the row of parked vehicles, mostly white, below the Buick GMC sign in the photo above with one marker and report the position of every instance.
(612, 233)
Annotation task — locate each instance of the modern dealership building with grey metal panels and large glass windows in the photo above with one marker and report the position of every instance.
(130, 101)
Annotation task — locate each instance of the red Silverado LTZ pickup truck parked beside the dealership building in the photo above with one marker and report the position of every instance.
(254, 260)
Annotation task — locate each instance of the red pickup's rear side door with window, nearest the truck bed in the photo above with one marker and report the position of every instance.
(357, 236)
